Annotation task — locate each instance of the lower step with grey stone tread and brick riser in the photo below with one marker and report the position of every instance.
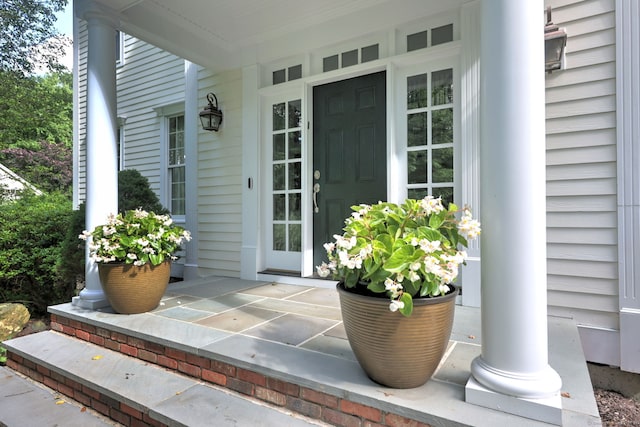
(134, 392)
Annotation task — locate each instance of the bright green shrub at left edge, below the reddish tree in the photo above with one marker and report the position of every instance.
(31, 236)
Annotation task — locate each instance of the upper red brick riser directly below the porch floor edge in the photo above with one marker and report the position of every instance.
(297, 398)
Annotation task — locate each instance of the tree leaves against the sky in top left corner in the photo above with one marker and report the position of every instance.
(28, 39)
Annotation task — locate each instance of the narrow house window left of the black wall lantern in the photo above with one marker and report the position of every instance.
(176, 165)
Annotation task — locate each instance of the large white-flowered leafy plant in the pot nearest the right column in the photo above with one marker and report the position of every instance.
(403, 251)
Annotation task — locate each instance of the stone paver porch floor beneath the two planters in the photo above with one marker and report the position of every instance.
(295, 334)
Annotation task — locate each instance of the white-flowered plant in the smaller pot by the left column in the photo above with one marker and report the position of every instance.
(136, 237)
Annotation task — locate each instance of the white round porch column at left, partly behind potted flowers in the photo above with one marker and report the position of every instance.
(101, 163)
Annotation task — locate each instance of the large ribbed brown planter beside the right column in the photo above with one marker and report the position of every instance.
(394, 350)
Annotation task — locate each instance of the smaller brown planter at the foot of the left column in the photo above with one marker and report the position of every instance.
(134, 289)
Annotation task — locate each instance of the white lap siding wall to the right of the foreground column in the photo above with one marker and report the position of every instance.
(581, 168)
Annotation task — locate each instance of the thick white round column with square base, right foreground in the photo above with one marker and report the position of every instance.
(512, 373)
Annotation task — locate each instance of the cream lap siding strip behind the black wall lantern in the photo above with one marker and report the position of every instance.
(220, 178)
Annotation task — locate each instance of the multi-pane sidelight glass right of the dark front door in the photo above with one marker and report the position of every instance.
(429, 124)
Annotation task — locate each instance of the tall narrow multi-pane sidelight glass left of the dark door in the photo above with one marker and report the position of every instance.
(286, 171)
